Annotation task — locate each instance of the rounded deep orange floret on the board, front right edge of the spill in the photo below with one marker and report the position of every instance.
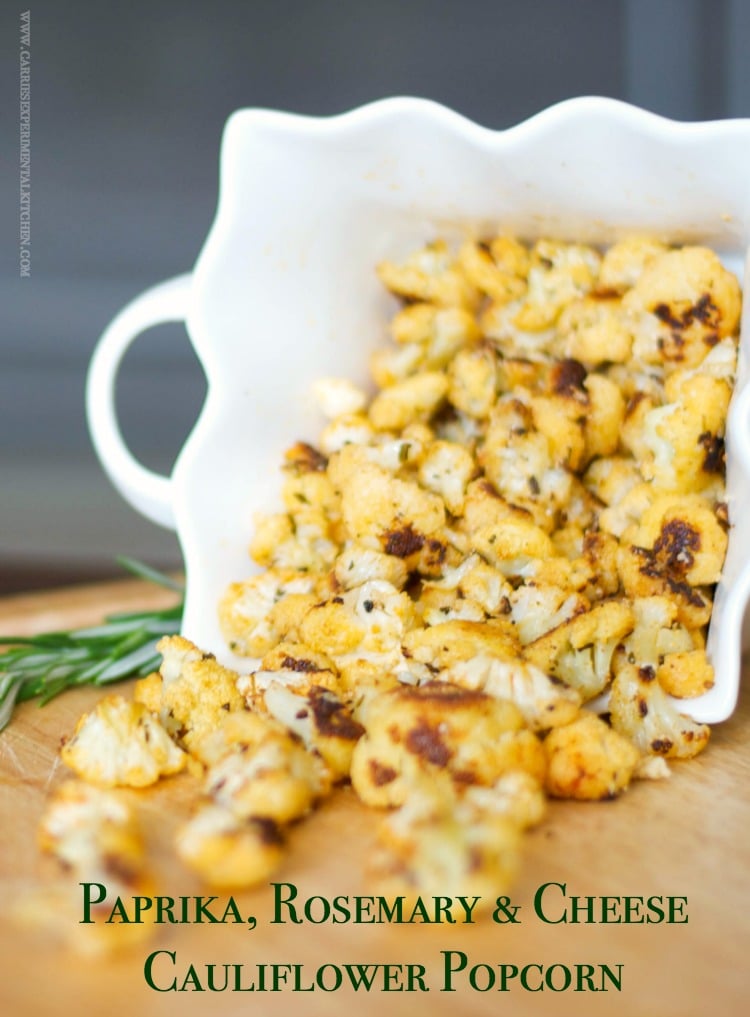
(588, 760)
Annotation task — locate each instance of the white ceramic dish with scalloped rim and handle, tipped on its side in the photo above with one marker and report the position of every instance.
(284, 292)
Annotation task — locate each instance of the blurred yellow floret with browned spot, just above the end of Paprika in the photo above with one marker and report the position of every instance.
(227, 852)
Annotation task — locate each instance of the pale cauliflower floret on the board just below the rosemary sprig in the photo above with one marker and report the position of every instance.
(122, 744)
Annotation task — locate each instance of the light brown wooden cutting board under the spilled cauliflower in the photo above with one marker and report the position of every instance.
(686, 837)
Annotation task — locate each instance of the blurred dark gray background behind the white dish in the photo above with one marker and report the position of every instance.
(129, 102)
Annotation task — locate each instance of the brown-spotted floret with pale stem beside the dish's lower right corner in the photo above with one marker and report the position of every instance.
(643, 711)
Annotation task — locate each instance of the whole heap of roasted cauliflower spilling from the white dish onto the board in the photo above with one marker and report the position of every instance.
(530, 514)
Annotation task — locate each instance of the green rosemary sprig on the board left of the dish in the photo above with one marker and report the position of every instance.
(123, 647)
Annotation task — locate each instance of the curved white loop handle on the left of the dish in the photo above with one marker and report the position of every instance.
(149, 493)
